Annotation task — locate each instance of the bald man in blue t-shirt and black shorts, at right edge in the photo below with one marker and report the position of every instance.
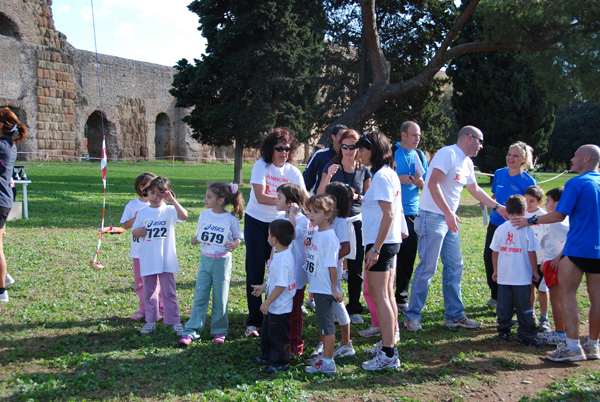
(580, 200)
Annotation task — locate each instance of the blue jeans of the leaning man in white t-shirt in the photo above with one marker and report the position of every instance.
(435, 241)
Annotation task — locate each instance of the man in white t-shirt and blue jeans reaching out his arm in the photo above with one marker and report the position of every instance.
(436, 224)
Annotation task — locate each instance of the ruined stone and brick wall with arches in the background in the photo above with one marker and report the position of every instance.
(53, 88)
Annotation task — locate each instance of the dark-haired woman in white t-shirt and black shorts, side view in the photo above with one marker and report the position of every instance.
(382, 235)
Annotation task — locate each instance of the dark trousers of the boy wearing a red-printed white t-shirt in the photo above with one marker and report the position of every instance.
(515, 298)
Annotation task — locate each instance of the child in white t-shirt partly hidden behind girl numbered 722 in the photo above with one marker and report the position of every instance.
(127, 219)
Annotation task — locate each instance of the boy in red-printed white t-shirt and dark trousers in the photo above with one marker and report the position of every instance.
(515, 265)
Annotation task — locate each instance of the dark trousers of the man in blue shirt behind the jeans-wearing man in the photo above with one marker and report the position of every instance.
(406, 261)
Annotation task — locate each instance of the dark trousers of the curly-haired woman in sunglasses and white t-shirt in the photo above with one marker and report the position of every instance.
(258, 252)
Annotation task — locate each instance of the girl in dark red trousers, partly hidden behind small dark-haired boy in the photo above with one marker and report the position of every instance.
(290, 198)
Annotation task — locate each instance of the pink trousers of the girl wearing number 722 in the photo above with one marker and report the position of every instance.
(153, 284)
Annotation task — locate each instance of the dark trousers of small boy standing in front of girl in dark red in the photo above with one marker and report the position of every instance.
(275, 338)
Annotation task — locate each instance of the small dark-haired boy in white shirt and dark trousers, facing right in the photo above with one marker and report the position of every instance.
(280, 288)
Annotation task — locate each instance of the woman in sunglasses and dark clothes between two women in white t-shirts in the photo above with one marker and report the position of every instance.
(346, 167)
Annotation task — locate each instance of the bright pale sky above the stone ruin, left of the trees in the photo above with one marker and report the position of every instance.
(156, 31)
